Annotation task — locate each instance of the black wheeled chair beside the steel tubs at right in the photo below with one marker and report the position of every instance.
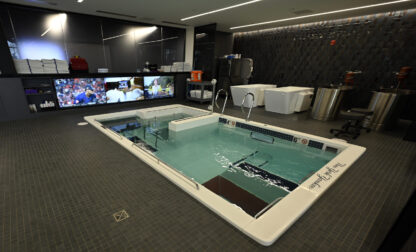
(353, 126)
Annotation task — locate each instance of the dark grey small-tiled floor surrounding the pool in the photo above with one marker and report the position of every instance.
(60, 185)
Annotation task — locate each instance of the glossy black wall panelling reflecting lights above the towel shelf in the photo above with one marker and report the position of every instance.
(119, 45)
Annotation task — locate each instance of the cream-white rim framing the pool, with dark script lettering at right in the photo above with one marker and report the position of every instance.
(267, 228)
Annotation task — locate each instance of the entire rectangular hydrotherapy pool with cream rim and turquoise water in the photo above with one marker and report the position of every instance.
(258, 177)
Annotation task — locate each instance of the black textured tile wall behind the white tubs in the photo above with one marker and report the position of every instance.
(302, 54)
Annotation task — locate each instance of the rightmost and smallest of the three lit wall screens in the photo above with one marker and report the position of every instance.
(158, 87)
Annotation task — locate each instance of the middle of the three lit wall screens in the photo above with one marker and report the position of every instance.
(124, 89)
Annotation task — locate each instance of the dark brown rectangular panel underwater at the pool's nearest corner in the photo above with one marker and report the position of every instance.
(236, 195)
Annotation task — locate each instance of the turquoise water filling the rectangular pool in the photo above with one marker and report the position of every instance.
(205, 152)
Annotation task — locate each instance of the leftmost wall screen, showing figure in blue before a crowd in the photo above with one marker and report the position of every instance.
(80, 92)
